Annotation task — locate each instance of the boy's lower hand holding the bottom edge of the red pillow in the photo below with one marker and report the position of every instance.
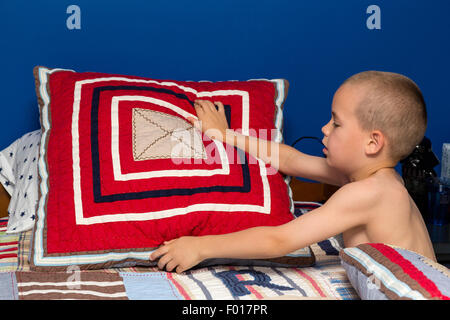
(178, 254)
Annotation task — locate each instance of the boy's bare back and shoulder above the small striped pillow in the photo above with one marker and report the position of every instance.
(392, 216)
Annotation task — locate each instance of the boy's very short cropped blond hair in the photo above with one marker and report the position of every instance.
(393, 104)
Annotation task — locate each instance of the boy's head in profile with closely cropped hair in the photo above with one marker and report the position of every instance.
(389, 110)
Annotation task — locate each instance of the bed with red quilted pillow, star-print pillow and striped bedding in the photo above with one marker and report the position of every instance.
(75, 220)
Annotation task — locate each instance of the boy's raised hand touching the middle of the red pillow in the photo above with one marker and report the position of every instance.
(210, 120)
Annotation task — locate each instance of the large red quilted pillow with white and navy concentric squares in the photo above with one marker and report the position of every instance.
(122, 170)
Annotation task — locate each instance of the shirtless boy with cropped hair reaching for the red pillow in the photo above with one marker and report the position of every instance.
(377, 120)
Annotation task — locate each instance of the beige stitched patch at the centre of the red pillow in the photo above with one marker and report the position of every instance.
(158, 135)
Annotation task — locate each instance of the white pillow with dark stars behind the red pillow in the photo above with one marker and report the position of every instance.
(19, 176)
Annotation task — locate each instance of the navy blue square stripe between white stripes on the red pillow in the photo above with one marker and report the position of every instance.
(98, 197)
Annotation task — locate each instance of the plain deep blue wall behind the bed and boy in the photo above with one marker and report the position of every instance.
(313, 44)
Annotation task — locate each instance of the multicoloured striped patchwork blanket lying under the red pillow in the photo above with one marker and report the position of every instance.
(325, 280)
